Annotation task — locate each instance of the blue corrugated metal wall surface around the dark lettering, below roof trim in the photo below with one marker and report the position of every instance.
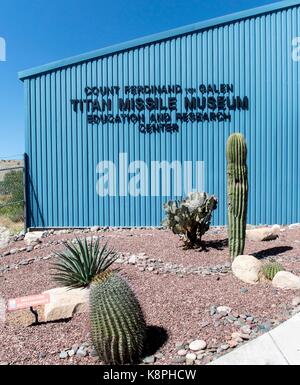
(253, 54)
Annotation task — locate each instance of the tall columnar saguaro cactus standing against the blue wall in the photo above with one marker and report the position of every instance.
(237, 193)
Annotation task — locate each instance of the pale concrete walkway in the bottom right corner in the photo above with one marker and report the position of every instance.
(280, 346)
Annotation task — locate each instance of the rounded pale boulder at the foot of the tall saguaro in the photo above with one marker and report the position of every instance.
(246, 268)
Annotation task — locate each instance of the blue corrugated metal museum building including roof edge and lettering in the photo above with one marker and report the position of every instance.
(171, 97)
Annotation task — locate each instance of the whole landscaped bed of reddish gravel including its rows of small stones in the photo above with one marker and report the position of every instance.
(195, 308)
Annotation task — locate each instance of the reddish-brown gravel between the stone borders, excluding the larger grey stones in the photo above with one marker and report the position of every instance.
(177, 308)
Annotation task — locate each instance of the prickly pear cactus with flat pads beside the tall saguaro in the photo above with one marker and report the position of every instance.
(191, 217)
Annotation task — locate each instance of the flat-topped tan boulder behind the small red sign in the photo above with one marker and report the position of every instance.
(64, 303)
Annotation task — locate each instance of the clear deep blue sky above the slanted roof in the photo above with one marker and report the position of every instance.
(40, 31)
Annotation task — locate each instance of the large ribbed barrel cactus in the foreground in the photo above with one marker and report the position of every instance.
(118, 327)
